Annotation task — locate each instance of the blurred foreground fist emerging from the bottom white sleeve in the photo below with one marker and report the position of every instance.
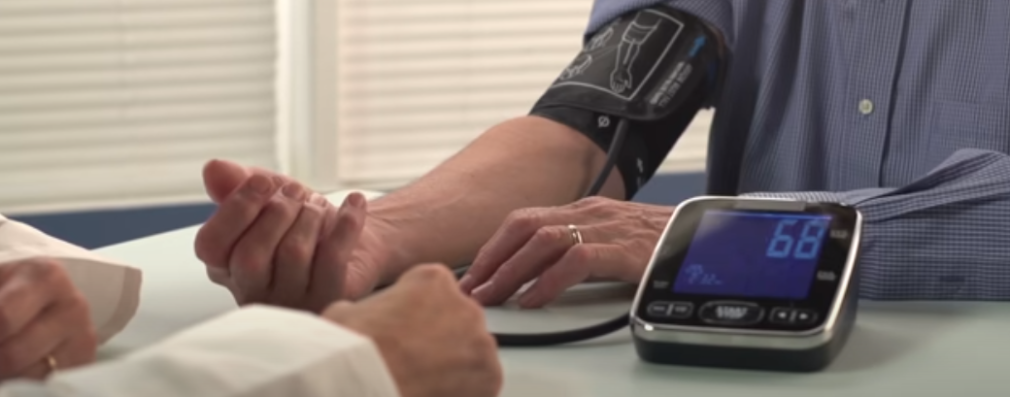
(433, 338)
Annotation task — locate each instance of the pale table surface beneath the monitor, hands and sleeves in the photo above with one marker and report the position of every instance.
(897, 349)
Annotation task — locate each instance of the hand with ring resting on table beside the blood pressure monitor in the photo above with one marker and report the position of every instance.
(608, 240)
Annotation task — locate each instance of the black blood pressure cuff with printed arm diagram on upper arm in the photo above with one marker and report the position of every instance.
(654, 68)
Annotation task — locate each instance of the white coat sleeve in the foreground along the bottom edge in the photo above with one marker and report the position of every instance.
(256, 352)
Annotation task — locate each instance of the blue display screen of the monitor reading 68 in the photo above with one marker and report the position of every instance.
(754, 255)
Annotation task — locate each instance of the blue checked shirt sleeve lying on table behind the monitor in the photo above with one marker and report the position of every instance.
(945, 237)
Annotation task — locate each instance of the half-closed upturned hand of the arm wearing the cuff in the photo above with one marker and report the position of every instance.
(273, 241)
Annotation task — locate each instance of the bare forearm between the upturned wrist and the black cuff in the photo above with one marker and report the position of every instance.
(448, 215)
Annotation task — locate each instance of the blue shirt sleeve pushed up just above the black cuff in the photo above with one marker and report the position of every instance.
(719, 14)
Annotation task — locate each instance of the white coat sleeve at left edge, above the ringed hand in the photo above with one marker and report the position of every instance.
(112, 289)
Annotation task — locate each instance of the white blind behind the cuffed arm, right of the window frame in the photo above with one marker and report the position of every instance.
(418, 80)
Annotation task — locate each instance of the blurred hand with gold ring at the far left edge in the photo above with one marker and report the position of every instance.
(44, 321)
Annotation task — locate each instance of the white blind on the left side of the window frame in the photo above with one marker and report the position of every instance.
(113, 103)
